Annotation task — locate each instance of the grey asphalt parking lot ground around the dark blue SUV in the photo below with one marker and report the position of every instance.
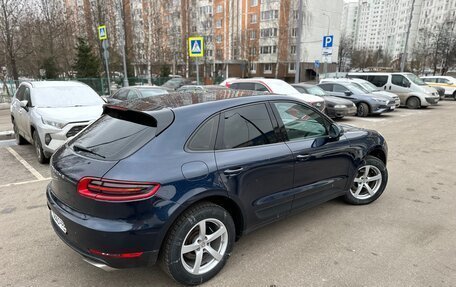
(406, 238)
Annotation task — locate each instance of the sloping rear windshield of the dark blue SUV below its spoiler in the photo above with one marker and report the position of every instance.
(115, 138)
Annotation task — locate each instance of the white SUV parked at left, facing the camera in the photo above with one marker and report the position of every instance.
(47, 113)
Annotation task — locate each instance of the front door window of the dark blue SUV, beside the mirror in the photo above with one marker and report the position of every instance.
(300, 122)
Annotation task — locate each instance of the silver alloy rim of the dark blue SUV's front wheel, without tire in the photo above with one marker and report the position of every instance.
(367, 182)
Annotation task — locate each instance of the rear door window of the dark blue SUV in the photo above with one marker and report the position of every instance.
(245, 127)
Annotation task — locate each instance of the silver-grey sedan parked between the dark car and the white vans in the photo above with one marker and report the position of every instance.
(366, 104)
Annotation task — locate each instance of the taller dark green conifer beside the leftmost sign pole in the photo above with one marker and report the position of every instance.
(86, 65)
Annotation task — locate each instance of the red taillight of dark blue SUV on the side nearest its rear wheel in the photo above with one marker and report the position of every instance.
(116, 190)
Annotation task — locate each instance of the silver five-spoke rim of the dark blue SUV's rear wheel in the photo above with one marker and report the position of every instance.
(204, 246)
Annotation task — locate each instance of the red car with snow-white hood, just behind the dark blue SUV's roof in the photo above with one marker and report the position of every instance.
(274, 86)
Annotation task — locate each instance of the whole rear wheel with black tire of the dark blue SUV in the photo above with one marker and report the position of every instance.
(181, 263)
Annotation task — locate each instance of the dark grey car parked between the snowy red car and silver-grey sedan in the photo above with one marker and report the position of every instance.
(336, 108)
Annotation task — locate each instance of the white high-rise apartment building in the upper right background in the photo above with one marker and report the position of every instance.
(383, 24)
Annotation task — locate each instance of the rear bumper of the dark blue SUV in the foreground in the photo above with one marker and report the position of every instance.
(108, 236)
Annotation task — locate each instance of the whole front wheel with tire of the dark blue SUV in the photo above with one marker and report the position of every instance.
(369, 182)
